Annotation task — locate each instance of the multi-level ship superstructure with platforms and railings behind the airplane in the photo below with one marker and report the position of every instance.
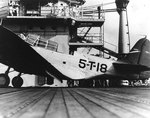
(58, 25)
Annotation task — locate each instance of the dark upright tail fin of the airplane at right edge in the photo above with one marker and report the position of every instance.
(140, 53)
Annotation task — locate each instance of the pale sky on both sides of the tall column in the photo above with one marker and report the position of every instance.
(138, 17)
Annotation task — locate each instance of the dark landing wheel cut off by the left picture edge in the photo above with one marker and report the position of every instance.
(4, 80)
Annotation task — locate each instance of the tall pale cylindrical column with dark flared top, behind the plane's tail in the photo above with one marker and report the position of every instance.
(123, 44)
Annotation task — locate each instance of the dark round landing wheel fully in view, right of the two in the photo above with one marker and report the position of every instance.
(17, 82)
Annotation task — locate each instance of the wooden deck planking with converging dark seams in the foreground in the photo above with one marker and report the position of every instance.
(75, 103)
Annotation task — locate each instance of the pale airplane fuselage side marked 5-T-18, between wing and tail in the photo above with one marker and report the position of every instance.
(77, 66)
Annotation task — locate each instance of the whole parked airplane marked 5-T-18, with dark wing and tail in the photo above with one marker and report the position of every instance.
(17, 54)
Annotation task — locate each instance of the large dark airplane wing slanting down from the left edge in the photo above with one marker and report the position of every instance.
(16, 53)
